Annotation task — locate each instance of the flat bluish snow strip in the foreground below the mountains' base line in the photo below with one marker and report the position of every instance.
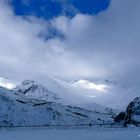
(80, 134)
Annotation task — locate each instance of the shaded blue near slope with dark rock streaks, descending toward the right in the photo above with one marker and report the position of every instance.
(16, 110)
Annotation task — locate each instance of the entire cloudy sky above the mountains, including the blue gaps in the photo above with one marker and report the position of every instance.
(77, 42)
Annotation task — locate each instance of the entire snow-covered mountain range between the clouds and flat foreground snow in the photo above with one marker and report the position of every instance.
(56, 102)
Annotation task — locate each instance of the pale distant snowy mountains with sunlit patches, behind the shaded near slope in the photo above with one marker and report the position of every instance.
(79, 92)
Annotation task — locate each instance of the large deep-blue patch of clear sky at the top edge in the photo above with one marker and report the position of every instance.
(48, 9)
